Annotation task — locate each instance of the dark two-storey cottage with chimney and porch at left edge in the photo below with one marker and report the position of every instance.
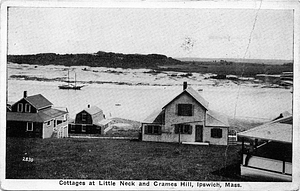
(33, 116)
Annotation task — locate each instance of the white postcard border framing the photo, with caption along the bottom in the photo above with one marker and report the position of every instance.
(216, 4)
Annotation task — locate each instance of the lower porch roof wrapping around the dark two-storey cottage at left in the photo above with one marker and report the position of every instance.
(41, 116)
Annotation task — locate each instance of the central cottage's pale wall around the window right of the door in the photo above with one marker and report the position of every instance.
(215, 141)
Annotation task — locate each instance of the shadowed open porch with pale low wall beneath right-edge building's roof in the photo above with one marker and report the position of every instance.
(268, 161)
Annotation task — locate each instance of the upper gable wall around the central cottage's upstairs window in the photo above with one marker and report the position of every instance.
(172, 118)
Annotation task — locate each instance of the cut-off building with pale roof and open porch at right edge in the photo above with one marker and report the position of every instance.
(270, 153)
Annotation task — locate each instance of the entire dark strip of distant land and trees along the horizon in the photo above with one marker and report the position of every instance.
(156, 62)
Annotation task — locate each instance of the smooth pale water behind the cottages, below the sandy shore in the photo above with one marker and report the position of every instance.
(137, 102)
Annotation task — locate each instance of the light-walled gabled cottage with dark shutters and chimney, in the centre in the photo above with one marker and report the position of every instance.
(186, 119)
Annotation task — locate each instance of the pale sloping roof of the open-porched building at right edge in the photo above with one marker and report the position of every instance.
(276, 130)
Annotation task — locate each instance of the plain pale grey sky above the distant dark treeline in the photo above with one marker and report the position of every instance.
(200, 33)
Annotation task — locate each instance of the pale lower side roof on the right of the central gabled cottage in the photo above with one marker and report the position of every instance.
(217, 119)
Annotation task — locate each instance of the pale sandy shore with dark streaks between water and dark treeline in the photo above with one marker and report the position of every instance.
(131, 77)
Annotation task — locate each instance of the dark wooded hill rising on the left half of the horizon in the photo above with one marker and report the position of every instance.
(99, 59)
